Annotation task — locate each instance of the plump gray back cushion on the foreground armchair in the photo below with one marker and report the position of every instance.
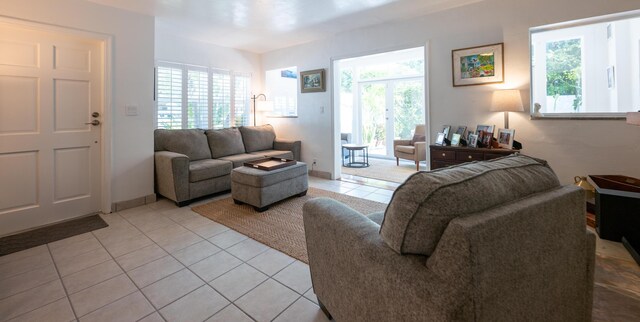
(422, 207)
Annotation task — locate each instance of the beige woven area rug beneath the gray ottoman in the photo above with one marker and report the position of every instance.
(281, 226)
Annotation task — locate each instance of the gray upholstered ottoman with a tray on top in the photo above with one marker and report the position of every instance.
(261, 188)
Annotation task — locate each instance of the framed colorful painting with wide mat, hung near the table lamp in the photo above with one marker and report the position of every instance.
(478, 65)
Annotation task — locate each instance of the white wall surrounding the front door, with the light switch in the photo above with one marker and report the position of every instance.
(132, 81)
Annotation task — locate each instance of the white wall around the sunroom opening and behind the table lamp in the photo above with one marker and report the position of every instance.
(573, 147)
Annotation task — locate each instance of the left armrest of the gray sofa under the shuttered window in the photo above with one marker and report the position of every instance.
(172, 175)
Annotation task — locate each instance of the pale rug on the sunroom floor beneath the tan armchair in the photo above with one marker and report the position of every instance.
(386, 170)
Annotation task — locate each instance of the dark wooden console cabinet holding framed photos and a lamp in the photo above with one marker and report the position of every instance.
(444, 156)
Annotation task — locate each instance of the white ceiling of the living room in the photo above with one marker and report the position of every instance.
(264, 25)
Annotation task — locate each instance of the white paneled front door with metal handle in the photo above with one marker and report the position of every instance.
(51, 86)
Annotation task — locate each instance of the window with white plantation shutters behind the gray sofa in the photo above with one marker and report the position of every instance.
(199, 97)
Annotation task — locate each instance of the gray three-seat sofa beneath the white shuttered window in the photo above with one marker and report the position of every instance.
(194, 163)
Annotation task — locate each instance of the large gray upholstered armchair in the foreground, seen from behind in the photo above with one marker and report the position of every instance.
(497, 240)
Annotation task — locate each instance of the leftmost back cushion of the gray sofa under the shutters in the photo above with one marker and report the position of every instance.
(192, 143)
